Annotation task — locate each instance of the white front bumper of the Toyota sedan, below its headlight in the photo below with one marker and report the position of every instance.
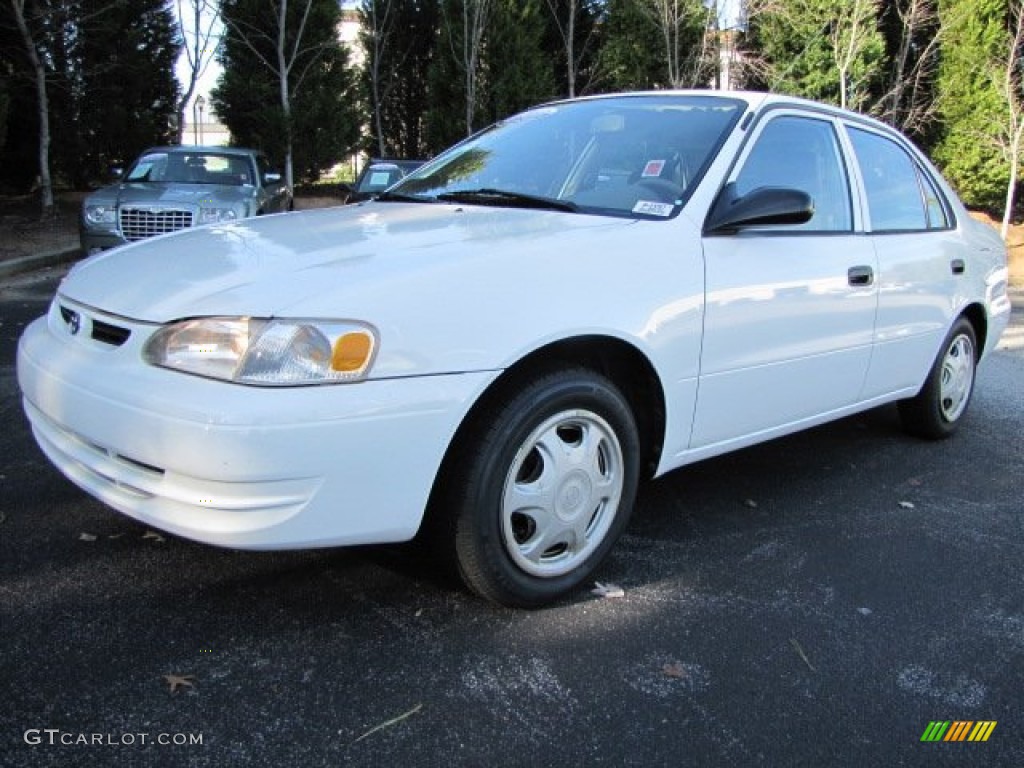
(231, 465)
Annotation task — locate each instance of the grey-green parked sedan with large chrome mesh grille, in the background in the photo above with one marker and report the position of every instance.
(176, 188)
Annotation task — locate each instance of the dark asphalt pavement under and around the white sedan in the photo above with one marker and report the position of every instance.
(820, 601)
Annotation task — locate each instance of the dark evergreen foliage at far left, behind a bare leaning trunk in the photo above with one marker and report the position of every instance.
(110, 83)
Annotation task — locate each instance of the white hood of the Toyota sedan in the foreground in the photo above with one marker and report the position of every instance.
(340, 263)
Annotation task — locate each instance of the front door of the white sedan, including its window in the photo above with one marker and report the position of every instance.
(790, 311)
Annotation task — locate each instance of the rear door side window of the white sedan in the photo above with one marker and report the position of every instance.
(901, 197)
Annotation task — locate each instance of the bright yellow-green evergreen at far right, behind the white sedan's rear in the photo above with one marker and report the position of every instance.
(975, 38)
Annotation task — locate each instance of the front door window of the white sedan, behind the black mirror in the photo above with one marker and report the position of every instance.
(802, 154)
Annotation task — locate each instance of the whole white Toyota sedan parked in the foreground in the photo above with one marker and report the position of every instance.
(498, 350)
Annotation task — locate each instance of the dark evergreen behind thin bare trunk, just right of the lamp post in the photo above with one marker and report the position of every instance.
(324, 123)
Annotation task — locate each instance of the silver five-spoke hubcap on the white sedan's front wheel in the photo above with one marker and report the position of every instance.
(562, 493)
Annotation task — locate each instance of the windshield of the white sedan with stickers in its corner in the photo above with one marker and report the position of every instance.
(628, 156)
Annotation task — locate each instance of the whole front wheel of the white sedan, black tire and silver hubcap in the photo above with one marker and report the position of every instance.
(568, 439)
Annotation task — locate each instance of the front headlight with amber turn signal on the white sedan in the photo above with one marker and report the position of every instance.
(266, 353)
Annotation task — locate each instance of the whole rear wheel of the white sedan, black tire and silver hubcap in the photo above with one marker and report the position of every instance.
(940, 408)
